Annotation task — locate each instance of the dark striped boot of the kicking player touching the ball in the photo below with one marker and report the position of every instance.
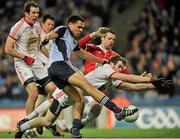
(125, 112)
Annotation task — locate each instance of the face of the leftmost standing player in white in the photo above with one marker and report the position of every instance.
(33, 14)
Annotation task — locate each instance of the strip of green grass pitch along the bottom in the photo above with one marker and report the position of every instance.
(113, 133)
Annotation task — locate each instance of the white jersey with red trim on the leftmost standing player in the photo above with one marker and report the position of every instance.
(27, 36)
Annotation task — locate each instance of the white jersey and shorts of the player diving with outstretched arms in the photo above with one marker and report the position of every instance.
(101, 76)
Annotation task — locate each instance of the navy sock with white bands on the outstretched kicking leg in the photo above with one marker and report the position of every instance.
(110, 105)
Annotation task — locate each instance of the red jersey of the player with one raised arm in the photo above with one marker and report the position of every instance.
(96, 50)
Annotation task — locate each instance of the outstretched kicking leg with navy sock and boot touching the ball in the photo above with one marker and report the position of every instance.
(77, 79)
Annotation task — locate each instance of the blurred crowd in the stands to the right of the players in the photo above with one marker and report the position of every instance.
(153, 43)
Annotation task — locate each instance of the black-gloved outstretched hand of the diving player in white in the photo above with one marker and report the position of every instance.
(162, 83)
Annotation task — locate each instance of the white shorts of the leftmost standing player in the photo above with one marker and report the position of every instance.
(25, 72)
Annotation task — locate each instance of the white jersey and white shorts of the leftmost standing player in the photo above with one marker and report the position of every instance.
(27, 43)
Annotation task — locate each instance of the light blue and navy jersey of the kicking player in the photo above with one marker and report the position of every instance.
(63, 46)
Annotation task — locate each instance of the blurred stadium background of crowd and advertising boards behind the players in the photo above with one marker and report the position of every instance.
(148, 35)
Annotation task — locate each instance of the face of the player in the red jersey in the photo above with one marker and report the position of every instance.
(108, 41)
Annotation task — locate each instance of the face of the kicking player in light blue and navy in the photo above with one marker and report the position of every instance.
(76, 28)
